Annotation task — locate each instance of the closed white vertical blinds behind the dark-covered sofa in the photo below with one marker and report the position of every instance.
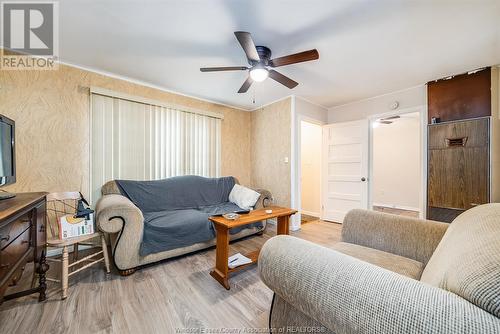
(142, 141)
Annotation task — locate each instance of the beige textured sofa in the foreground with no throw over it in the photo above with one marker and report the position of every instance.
(390, 274)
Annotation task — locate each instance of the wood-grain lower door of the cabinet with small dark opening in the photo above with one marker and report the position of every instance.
(458, 164)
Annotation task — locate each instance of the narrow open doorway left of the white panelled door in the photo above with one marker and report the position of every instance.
(310, 170)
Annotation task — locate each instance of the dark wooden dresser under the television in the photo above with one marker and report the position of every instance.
(22, 240)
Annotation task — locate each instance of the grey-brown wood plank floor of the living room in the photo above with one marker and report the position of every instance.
(176, 295)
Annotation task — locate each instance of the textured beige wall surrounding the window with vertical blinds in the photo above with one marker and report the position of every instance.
(51, 110)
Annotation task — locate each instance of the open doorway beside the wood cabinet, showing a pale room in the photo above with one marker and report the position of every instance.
(397, 164)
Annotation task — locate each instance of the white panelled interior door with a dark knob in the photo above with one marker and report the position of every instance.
(345, 169)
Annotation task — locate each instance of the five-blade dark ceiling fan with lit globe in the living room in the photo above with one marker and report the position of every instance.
(261, 64)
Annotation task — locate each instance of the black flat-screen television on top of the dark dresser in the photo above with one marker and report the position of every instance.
(7, 154)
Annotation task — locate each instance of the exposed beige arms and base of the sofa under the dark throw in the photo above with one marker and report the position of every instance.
(118, 216)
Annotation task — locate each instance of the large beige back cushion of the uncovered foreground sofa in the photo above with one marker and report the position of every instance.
(467, 260)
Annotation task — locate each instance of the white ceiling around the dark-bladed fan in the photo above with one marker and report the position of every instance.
(366, 48)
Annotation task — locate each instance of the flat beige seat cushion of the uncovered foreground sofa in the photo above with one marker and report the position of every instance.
(398, 264)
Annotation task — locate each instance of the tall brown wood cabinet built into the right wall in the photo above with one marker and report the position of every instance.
(464, 149)
